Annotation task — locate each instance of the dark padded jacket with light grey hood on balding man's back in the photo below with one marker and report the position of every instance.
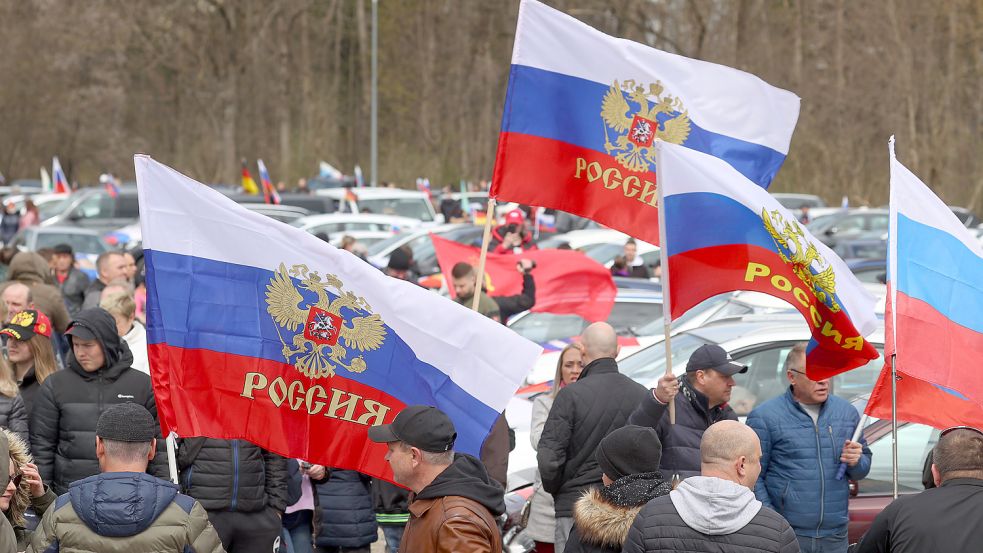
(706, 514)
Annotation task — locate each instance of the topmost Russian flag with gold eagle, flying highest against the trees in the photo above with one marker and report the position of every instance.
(583, 109)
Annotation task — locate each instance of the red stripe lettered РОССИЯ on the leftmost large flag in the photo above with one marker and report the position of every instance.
(218, 395)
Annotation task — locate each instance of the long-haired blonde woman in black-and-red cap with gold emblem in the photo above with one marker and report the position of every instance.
(29, 352)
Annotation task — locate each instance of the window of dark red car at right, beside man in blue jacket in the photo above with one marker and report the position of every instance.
(914, 443)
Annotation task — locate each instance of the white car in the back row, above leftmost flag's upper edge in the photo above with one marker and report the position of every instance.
(383, 201)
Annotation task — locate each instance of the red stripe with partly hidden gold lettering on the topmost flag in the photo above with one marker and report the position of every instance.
(544, 172)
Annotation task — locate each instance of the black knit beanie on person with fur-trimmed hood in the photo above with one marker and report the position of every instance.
(629, 450)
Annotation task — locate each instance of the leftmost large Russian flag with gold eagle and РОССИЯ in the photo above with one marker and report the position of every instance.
(258, 330)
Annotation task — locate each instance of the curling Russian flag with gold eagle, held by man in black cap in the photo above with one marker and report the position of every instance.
(723, 234)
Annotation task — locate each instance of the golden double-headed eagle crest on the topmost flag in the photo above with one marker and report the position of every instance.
(639, 122)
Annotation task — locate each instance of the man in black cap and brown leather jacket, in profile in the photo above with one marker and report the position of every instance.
(454, 502)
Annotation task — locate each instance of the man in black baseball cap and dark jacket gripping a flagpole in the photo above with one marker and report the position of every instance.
(705, 390)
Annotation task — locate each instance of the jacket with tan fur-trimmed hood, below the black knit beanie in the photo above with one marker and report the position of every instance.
(603, 516)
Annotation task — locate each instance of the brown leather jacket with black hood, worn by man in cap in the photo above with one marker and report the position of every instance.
(456, 512)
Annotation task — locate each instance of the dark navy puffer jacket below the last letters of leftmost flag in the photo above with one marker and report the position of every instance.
(345, 518)
